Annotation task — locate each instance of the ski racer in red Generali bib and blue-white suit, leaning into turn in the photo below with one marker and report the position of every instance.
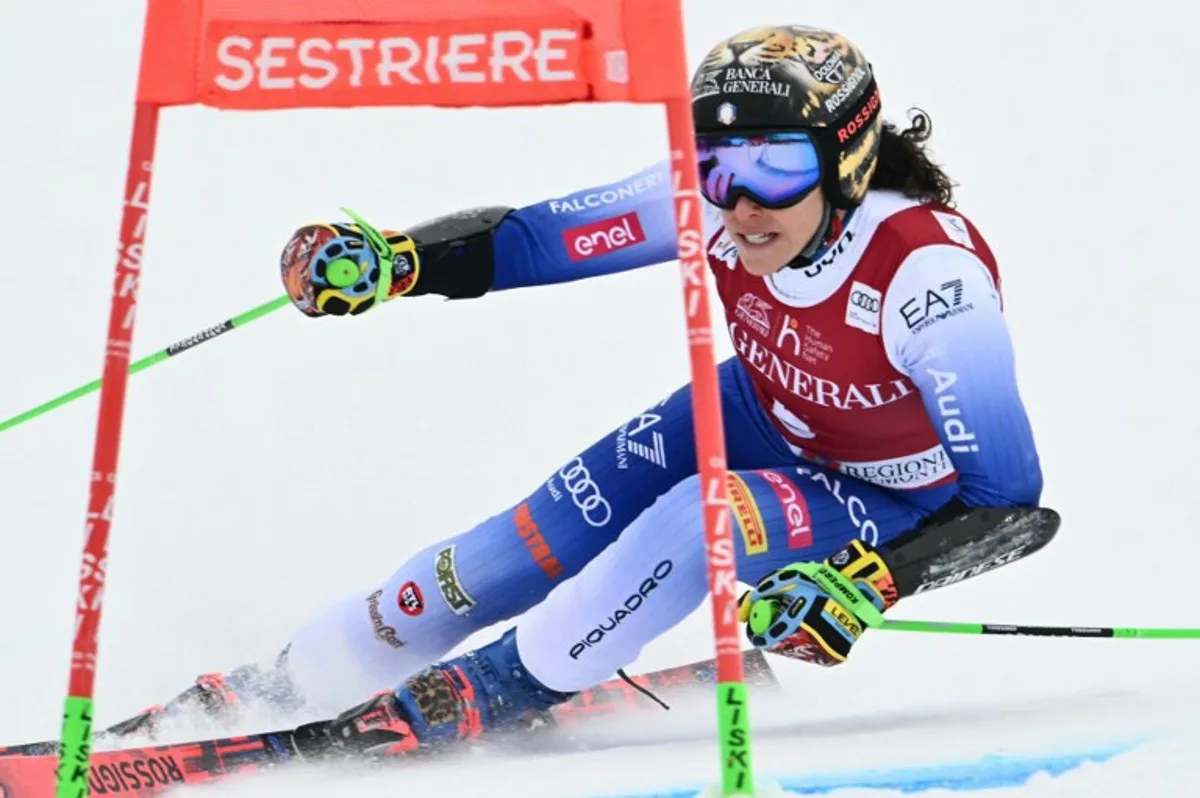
(873, 393)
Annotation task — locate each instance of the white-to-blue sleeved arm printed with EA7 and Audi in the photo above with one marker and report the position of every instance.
(945, 329)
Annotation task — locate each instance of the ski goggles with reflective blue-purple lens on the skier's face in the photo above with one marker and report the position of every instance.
(772, 170)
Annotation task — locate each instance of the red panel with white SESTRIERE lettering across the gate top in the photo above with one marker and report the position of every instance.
(347, 63)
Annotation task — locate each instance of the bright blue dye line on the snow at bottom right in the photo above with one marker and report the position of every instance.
(987, 773)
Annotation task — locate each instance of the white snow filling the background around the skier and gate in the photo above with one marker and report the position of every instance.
(243, 503)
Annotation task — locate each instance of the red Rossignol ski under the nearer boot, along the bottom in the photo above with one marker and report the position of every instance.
(29, 771)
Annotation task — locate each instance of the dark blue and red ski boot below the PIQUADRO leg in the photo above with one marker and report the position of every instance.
(483, 693)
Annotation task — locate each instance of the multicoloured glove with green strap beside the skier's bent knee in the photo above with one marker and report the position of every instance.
(817, 611)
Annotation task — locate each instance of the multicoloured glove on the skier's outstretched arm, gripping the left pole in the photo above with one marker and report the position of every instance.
(347, 268)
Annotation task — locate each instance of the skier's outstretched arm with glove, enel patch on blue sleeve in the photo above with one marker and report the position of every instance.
(328, 269)
